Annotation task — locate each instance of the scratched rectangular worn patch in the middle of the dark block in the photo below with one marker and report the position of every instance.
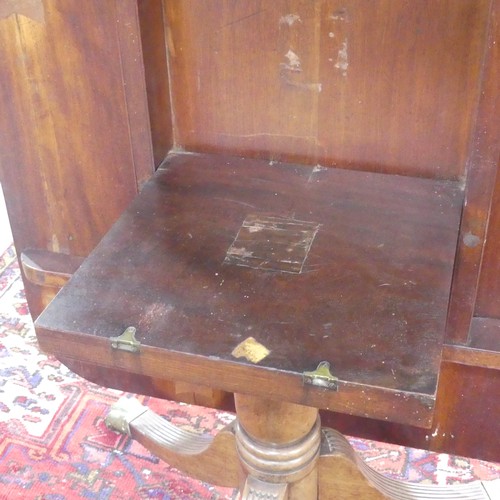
(272, 243)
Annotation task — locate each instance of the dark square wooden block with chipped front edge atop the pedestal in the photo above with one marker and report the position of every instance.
(243, 274)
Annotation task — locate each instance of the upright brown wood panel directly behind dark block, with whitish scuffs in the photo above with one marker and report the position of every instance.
(387, 86)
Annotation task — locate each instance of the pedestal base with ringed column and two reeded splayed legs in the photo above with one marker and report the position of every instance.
(276, 451)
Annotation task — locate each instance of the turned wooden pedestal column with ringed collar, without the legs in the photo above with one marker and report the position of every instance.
(278, 445)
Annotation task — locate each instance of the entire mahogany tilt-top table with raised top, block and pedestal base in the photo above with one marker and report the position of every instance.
(285, 209)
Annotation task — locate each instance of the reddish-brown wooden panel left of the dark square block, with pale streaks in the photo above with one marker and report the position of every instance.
(74, 137)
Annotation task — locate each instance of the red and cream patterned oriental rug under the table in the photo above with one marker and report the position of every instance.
(54, 444)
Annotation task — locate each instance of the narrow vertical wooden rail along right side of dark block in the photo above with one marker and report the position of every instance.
(482, 166)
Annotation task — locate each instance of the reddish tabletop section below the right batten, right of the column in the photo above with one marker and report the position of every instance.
(465, 419)
